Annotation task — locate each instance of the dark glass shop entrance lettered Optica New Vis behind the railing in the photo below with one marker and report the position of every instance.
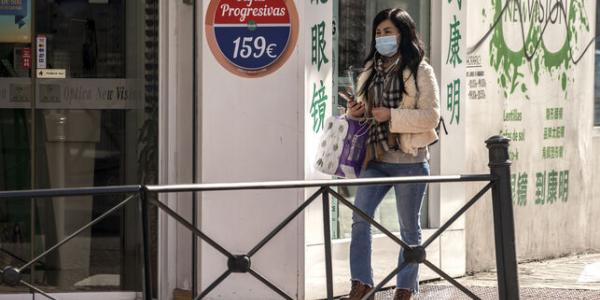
(72, 117)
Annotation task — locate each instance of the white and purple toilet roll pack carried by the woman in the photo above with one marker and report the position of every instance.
(342, 147)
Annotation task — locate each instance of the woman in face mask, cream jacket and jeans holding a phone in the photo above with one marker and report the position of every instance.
(399, 93)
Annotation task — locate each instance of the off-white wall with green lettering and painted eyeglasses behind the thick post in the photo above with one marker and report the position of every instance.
(501, 81)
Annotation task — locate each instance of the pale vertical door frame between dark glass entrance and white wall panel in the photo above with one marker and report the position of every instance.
(175, 148)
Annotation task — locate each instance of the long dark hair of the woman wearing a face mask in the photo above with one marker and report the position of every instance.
(410, 48)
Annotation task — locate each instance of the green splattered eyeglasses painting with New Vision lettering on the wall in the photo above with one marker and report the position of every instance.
(535, 17)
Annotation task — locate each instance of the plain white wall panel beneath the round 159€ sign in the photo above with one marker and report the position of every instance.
(252, 129)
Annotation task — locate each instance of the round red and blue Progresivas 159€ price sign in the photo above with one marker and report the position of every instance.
(251, 38)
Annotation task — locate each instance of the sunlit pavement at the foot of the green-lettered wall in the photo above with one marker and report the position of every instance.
(572, 277)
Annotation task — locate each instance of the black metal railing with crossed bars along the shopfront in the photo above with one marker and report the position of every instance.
(498, 181)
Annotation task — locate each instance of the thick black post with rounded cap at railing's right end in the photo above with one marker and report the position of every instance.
(504, 225)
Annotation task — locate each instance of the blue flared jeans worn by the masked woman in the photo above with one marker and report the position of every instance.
(409, 198)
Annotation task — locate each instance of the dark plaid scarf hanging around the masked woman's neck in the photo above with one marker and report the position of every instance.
(384, 92)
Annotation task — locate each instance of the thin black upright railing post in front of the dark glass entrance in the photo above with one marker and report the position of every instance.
(147, 282)
